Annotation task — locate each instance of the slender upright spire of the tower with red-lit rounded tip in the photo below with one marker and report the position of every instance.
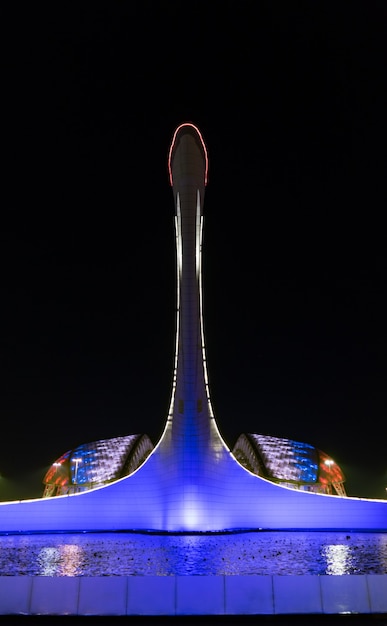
(190, 419)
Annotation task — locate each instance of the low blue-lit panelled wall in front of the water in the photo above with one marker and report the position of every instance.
(193, 595)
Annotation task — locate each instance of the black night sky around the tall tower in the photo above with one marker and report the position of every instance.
(291, 100)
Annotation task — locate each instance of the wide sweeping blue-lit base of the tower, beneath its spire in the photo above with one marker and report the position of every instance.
(225, 497)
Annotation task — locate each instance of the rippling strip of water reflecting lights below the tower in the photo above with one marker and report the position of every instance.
(132, 554)
